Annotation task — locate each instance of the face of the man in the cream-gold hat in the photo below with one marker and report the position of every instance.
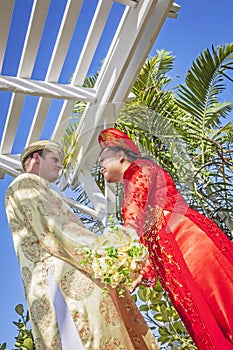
(50, 166)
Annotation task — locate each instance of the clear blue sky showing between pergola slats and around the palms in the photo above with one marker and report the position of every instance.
(200, 24)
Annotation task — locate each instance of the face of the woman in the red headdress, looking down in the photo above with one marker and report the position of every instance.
(111, 164)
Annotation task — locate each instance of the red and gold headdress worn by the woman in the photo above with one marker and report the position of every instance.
(115, 138)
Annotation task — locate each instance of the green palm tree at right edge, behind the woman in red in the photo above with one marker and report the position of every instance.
(209, 143)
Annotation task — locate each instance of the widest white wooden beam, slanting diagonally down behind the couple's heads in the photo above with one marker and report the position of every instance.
(122, 64)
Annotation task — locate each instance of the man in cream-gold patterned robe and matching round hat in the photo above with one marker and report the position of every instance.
(47, 236)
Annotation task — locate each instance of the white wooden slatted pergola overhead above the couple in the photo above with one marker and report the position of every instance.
(135, 34)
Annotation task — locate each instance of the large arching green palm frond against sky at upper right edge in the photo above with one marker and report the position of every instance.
(204, 83)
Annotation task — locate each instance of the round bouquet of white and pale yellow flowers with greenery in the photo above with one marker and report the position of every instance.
(117, 257)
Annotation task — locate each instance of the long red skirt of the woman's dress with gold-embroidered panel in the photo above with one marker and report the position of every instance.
(193, 259)
